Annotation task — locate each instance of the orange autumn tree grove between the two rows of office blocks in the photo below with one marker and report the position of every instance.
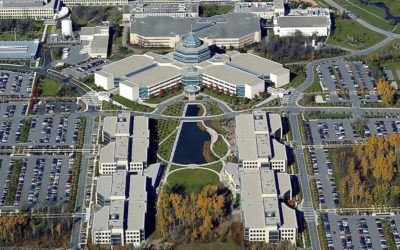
(194, 217)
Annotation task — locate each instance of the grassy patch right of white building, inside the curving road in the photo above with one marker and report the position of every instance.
(350, 34)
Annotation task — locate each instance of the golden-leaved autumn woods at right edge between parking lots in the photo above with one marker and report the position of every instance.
(368, 174)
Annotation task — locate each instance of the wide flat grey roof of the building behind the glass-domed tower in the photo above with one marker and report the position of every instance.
(230, 25)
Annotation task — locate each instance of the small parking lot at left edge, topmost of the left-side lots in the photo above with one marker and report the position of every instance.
(15, 83)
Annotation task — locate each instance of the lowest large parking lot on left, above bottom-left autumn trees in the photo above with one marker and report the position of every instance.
(44, 180)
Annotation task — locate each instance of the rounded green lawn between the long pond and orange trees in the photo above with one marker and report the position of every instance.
(192, 179)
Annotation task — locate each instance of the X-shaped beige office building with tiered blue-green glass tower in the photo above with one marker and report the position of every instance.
(191, 64)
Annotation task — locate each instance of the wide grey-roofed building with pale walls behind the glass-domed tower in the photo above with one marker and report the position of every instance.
(233, 29)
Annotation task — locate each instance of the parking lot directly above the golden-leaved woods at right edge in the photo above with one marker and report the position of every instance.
(340, 130)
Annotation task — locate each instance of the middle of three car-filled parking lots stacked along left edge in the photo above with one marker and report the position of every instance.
(52, 124)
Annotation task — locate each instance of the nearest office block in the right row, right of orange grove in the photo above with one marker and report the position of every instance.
(265, 215)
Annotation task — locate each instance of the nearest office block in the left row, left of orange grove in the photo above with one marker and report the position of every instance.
(122, 217)
